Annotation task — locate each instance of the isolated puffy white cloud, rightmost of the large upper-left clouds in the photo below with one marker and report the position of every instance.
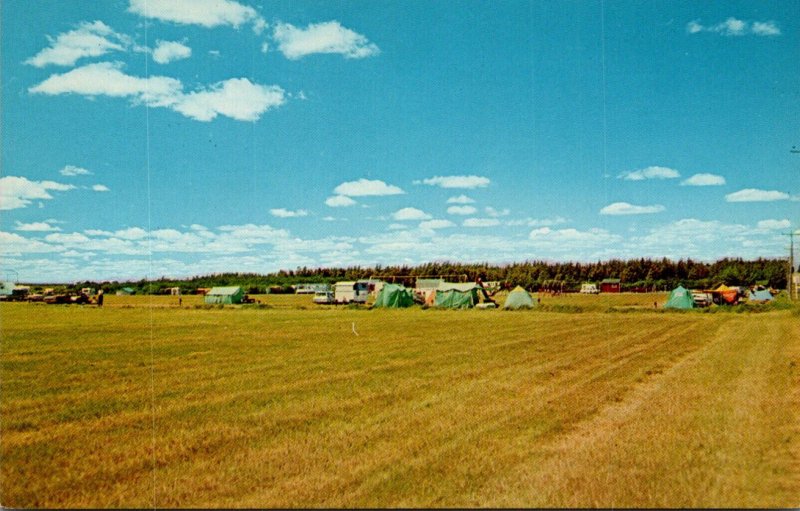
(326, 37)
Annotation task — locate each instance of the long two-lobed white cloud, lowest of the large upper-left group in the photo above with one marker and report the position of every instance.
(236, 98)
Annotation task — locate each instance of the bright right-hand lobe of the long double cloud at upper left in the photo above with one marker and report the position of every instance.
(236, 98)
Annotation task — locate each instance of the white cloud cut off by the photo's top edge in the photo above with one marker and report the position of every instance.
(206, 13)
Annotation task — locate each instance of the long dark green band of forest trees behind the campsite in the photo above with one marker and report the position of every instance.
(634, 274)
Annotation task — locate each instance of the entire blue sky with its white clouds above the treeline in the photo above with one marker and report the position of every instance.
(143, 138)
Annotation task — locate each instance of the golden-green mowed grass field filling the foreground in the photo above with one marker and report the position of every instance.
(143, 403)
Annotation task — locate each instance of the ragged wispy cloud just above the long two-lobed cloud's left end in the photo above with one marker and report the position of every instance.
(88, 40)
